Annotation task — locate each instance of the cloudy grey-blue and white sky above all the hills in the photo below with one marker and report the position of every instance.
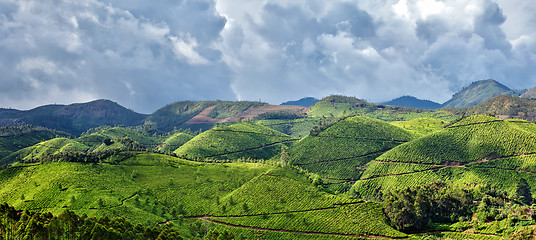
(146, 54)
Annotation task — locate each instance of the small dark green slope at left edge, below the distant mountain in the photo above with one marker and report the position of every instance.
(13, 139)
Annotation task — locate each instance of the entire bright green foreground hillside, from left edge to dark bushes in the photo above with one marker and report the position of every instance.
(246, 198)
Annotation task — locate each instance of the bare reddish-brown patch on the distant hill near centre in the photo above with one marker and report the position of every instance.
(250, 113)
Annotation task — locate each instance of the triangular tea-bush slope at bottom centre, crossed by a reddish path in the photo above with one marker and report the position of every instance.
(282, 200)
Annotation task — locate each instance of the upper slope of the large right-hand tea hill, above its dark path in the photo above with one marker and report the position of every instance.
(471, 139)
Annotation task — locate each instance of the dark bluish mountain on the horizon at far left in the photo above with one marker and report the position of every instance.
(74, 118)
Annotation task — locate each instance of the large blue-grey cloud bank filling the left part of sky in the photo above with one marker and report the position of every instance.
(72, 51)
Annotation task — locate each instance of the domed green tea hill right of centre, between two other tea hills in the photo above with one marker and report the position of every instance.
(339, 152)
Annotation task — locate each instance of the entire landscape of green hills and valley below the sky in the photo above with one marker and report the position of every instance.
(342, 168)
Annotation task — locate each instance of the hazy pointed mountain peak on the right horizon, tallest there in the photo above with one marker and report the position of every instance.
(478, 92)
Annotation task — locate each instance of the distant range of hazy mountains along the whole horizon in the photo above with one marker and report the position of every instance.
(78, 118)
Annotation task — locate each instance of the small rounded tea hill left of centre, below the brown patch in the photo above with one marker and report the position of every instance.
(241, 140)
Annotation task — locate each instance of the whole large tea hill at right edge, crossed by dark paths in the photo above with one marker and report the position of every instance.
(476, 150)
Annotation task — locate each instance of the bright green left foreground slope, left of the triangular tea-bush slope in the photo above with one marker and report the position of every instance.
(148, 187)
